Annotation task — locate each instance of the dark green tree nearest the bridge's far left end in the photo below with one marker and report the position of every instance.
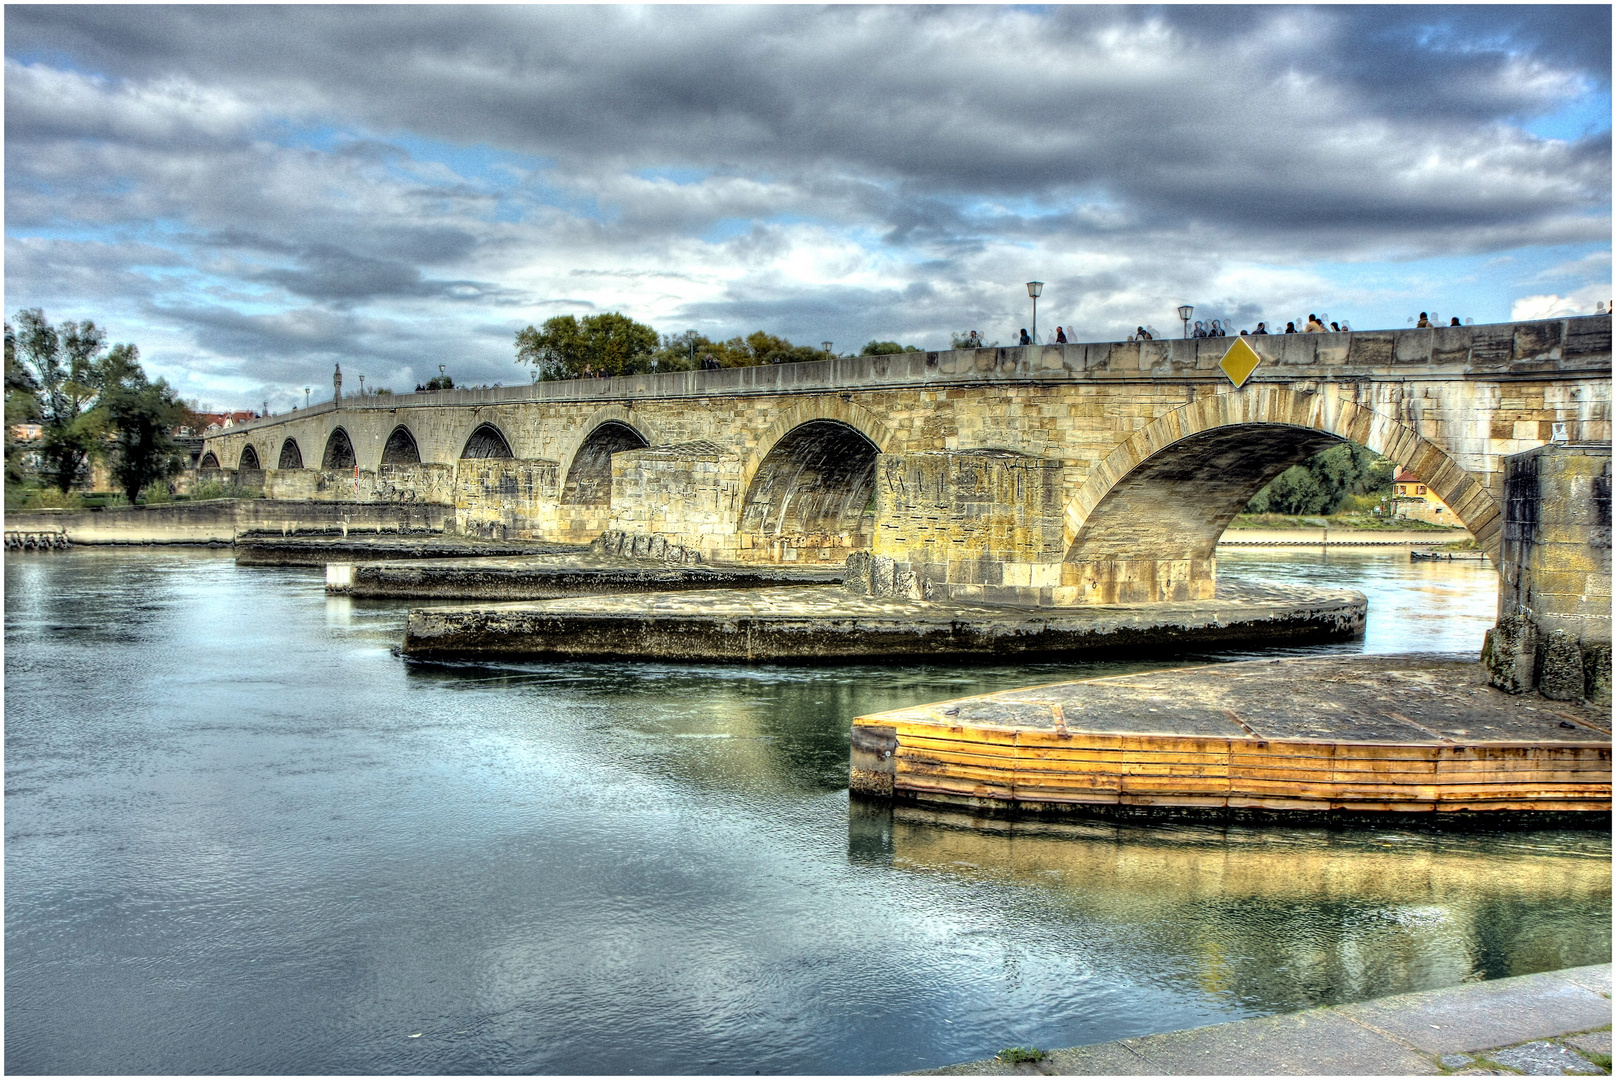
(143, 416)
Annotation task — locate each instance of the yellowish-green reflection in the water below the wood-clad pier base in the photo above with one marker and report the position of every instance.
(1282, 919)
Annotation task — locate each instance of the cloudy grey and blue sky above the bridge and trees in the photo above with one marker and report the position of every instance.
(253, 195)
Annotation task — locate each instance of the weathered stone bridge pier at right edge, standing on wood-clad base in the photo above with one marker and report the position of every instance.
(1554, 626)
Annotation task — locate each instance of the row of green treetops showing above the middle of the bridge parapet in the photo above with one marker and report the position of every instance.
(612, 344)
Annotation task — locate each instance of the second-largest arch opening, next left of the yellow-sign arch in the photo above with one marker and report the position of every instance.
(812, 494)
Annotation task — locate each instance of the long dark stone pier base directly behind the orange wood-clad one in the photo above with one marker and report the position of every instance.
(827, 623)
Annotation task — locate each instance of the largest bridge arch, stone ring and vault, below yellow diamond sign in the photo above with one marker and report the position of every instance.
(1147, 521)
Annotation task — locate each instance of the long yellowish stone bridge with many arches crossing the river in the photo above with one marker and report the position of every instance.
(1050, 475)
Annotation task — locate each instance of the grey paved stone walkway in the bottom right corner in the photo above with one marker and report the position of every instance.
(1549, 1024)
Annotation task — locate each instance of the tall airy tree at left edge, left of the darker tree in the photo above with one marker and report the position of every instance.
(62, 365)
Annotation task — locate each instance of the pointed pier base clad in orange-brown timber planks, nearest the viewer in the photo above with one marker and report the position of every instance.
(1268, 738)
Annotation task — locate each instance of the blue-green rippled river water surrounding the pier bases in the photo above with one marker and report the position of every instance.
(243, 837)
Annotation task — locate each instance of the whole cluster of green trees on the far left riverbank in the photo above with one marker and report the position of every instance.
(91, 402)
